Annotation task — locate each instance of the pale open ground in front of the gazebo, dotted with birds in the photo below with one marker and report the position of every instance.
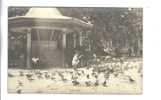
(108, 77)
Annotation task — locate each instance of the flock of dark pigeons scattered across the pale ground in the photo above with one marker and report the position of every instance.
(96, 75)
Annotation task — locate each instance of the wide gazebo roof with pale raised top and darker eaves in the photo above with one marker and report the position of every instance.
(46, 18)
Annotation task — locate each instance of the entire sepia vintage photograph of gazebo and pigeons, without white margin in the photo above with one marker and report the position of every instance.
(76, 50)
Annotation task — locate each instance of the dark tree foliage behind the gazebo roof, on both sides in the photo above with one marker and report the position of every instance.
(112, 27)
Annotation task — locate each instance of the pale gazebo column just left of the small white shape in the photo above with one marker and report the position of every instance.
(28, 48)
